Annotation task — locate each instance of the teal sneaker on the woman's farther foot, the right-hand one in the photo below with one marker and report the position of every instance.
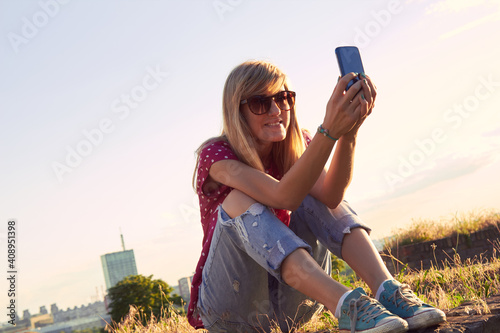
(399, 299)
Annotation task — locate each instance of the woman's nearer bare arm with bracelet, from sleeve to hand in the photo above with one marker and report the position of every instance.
(288, 193)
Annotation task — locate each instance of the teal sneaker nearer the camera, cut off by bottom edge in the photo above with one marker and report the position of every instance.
(360, 313)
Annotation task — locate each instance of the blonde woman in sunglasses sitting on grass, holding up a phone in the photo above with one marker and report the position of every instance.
(271, 212)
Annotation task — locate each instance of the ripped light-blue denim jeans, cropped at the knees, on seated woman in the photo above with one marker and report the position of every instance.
(242, 288)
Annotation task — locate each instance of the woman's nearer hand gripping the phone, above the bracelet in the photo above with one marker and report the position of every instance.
(345, 108)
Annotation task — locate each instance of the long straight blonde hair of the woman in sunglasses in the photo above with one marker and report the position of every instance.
(249, 79)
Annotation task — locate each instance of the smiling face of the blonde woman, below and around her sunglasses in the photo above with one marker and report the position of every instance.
(268, 127)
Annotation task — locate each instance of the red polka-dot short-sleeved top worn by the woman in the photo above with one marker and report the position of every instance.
(209, 201)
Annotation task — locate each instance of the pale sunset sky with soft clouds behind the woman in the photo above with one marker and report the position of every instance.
(103, 104)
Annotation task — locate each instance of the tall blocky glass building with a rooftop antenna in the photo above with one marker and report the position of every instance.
(118, 265)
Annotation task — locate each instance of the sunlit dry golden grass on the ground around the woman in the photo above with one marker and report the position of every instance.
(446, 288)
